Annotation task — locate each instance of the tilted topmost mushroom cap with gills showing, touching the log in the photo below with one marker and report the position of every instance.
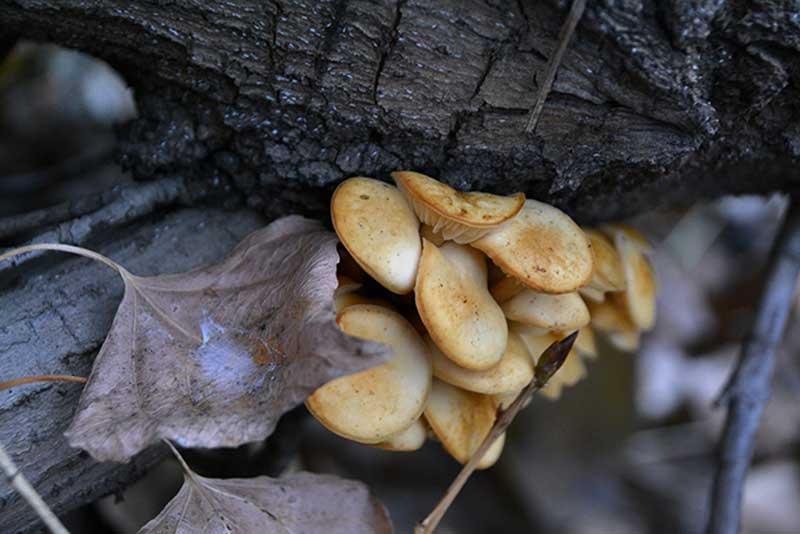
(457, 216)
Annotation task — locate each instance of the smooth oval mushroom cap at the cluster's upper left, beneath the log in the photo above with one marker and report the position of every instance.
(379, 230)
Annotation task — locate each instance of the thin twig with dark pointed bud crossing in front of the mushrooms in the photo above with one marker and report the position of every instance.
(548, 363)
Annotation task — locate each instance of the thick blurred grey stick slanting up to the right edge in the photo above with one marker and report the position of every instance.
(749, 389)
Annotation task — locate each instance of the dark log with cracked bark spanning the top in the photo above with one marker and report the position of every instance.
(655, 101)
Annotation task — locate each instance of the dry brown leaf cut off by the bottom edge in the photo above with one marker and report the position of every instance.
(303, 503)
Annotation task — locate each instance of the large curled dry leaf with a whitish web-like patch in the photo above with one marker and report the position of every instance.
(213, 357)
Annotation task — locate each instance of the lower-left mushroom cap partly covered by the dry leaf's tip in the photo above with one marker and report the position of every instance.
(373, 405)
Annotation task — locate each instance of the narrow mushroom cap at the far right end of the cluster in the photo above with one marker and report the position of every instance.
(640, 295)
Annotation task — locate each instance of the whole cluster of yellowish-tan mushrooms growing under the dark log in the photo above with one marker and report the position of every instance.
(479, 285)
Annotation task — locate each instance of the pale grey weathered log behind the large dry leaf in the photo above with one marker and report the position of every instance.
(56, 313)
